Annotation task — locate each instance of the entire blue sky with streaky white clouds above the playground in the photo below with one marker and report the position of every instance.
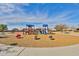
(17, 15)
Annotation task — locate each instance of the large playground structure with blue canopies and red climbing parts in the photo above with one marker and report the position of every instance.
(31, 30)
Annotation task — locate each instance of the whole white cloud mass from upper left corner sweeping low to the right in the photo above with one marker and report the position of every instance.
(16, 14)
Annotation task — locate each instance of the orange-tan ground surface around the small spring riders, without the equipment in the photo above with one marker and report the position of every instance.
(60, 39)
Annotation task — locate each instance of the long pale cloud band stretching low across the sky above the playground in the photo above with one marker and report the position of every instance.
(40, 18)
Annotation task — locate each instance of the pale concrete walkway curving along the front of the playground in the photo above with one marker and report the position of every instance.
(24, 51)
